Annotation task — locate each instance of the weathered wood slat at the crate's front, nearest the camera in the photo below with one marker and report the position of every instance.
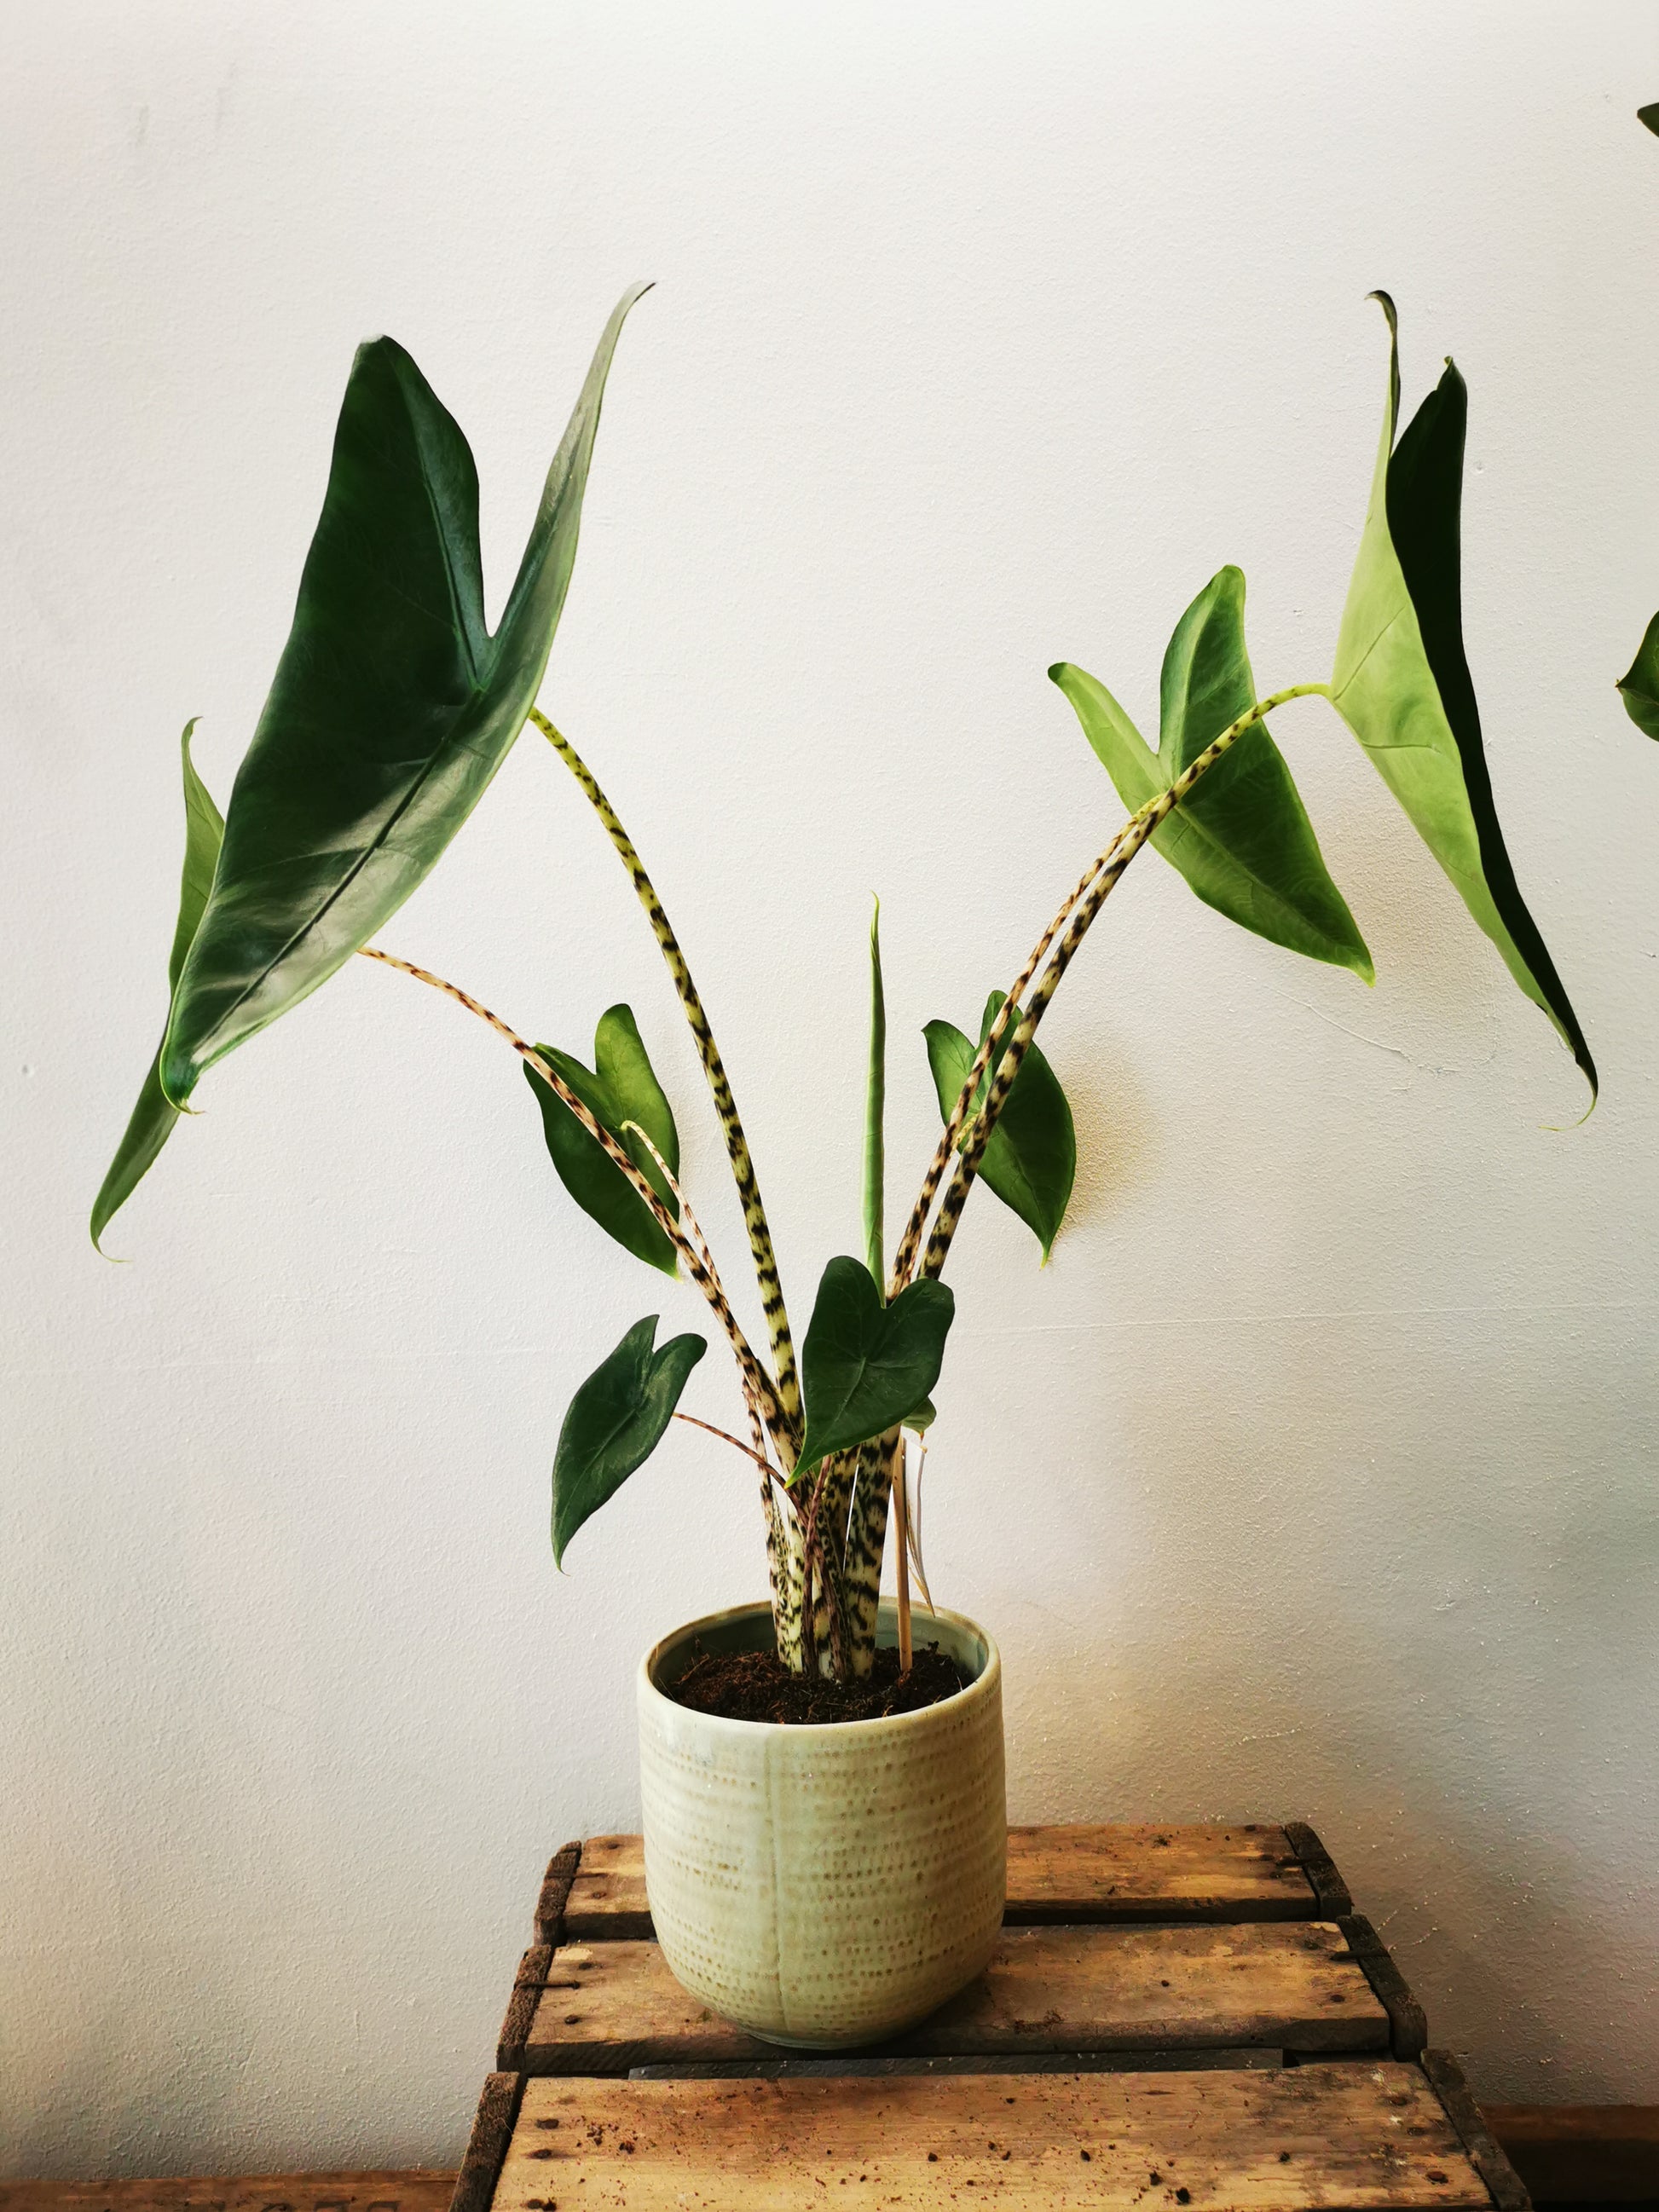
(1366, 2138)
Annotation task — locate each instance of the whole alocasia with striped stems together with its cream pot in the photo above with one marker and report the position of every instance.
(822, 1780)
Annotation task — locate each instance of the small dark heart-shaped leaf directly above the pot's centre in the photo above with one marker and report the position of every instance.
(866, 1366)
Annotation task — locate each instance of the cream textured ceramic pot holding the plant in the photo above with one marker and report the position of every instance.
(824, 1886)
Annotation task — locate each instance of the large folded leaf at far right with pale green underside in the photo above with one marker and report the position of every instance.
(1404, 680)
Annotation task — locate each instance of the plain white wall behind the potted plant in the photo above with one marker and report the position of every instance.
(1317, 1472)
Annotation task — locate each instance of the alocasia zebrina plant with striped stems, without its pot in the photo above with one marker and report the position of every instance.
(395, 707)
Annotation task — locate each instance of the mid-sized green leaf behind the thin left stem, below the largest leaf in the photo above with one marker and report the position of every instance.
(620, 1087)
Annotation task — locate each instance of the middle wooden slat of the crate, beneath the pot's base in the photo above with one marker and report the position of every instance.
(1295, 1987)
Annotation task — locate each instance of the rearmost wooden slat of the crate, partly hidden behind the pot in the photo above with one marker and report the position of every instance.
(1125, 1872)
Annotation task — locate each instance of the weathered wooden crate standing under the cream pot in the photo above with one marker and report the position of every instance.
(1176, 2016)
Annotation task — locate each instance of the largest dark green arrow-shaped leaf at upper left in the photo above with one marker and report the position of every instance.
(393, 705)
